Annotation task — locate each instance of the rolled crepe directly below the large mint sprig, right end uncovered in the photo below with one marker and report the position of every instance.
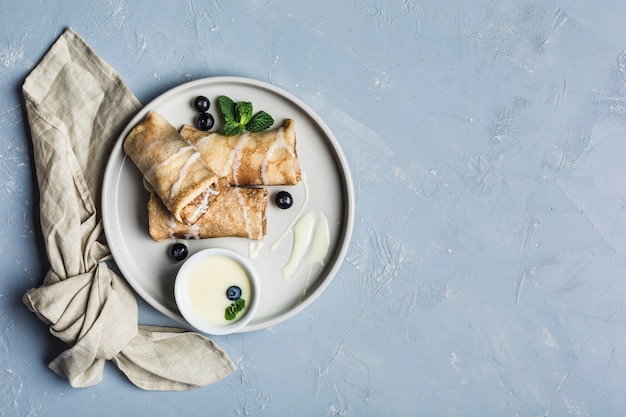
(262, 158)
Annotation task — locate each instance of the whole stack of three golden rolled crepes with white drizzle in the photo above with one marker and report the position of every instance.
(205, 184)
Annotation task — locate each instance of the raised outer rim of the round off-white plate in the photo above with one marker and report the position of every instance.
(112, 176)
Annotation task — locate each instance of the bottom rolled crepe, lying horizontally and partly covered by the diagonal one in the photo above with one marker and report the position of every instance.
(236, 212)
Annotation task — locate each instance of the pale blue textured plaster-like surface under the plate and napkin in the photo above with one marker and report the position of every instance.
(487, 274)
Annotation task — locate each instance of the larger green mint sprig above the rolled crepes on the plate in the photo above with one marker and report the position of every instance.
(240, 117)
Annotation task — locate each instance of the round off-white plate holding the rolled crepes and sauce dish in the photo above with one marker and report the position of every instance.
(146, 264)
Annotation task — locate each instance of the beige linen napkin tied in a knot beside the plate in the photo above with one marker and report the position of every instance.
(77, 106)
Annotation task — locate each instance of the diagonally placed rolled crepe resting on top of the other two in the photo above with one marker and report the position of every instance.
(174, 168)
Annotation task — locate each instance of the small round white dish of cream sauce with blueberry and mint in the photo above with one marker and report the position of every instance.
(217, 291)
